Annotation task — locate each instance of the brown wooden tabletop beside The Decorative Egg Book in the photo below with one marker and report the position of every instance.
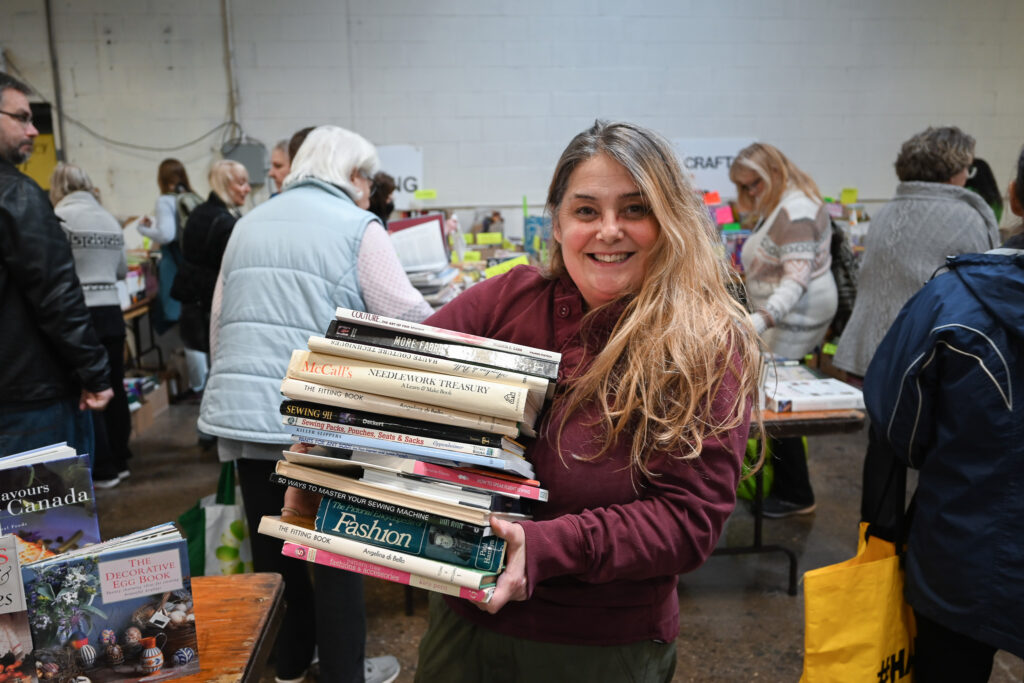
(237, 622)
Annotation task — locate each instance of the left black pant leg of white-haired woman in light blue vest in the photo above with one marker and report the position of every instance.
(298, 631)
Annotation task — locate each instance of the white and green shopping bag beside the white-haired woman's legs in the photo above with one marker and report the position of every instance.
(217, 531)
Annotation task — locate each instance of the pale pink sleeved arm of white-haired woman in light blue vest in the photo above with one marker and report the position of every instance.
(387, 289)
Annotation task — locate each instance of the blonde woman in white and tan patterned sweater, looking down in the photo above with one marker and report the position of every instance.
(790, 288)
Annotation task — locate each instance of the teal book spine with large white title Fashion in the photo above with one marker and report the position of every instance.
(421, 539)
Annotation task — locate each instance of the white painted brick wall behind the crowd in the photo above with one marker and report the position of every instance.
(494, 91)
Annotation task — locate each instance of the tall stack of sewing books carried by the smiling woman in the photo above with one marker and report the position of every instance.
(432, 417)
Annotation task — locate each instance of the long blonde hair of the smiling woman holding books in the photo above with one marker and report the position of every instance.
(682, 335)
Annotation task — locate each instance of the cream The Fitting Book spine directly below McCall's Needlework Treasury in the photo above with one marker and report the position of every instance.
(369, 403)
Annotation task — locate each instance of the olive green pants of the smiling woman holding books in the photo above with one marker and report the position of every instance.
(454, 651)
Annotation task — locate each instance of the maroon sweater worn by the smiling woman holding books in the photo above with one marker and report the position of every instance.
(602, 557)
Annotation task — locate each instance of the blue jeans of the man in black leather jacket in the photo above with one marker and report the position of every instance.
(24, 430)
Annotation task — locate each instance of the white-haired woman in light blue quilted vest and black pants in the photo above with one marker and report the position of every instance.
(289, 265)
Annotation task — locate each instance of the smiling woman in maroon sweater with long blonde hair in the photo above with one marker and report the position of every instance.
(647, 431)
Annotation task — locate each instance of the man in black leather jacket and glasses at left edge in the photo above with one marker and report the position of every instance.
(53, 367)
